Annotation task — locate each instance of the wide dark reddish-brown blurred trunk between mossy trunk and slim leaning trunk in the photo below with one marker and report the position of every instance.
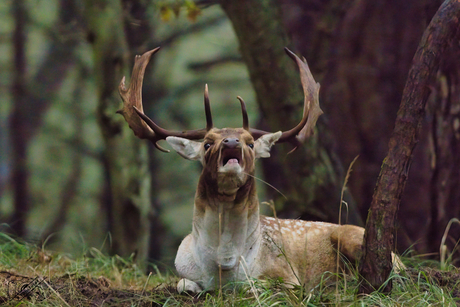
(374, 46)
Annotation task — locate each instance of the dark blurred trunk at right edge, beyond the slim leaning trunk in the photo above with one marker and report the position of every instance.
(444, 108)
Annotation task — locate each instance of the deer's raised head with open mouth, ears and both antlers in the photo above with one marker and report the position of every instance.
(228, 155)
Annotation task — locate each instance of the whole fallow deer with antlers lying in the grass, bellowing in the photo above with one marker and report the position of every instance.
(230, 241)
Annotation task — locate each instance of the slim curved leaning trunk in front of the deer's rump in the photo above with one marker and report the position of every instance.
(376, 262)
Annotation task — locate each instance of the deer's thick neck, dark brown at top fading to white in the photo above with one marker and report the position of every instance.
(226, 227)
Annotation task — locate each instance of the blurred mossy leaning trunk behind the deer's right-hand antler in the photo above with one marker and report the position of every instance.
(311, 177)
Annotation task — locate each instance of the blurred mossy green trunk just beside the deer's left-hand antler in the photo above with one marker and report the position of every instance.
(126, 156)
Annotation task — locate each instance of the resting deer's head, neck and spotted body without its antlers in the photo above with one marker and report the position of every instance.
(230, 241)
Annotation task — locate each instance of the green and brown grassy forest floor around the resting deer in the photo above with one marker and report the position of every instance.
(32, 276)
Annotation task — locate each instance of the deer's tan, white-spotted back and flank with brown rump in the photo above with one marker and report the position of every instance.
(300, 251)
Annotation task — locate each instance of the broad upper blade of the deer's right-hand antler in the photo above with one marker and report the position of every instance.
(311, 109)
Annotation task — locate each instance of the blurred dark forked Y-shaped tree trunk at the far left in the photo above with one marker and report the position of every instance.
(33, 97)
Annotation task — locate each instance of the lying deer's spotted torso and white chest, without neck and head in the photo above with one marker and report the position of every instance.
(297, 251)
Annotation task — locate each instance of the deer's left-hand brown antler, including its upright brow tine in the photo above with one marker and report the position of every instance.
(133, 112)
